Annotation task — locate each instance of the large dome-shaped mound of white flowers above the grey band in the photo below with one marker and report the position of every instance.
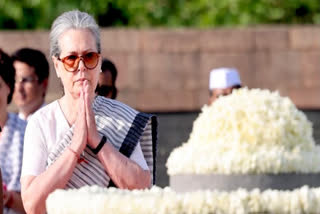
(249, 131)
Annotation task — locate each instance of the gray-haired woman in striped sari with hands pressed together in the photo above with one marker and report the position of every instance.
(81, 139)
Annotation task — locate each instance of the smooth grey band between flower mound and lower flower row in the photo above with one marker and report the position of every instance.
(286, 181)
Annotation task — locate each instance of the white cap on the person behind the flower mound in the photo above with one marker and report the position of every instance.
(223, 78)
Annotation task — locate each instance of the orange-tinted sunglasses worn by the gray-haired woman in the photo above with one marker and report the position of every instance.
(71, 62)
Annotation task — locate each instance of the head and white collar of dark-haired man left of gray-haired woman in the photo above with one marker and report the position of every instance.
(32, 73)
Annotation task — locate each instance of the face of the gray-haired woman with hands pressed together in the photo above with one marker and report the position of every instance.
(77, 42)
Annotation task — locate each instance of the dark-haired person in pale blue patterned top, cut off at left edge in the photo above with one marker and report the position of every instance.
(11, 140)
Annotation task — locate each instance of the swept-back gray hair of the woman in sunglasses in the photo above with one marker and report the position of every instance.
(72, 20)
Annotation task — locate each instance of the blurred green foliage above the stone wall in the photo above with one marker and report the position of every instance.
(39, 14)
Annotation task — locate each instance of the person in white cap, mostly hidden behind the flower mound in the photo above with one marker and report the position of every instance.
(222, 82)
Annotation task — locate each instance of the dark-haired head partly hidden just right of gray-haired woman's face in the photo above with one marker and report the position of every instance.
(107, 80)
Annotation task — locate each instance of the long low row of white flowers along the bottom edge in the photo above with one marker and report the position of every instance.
(165, 201)
